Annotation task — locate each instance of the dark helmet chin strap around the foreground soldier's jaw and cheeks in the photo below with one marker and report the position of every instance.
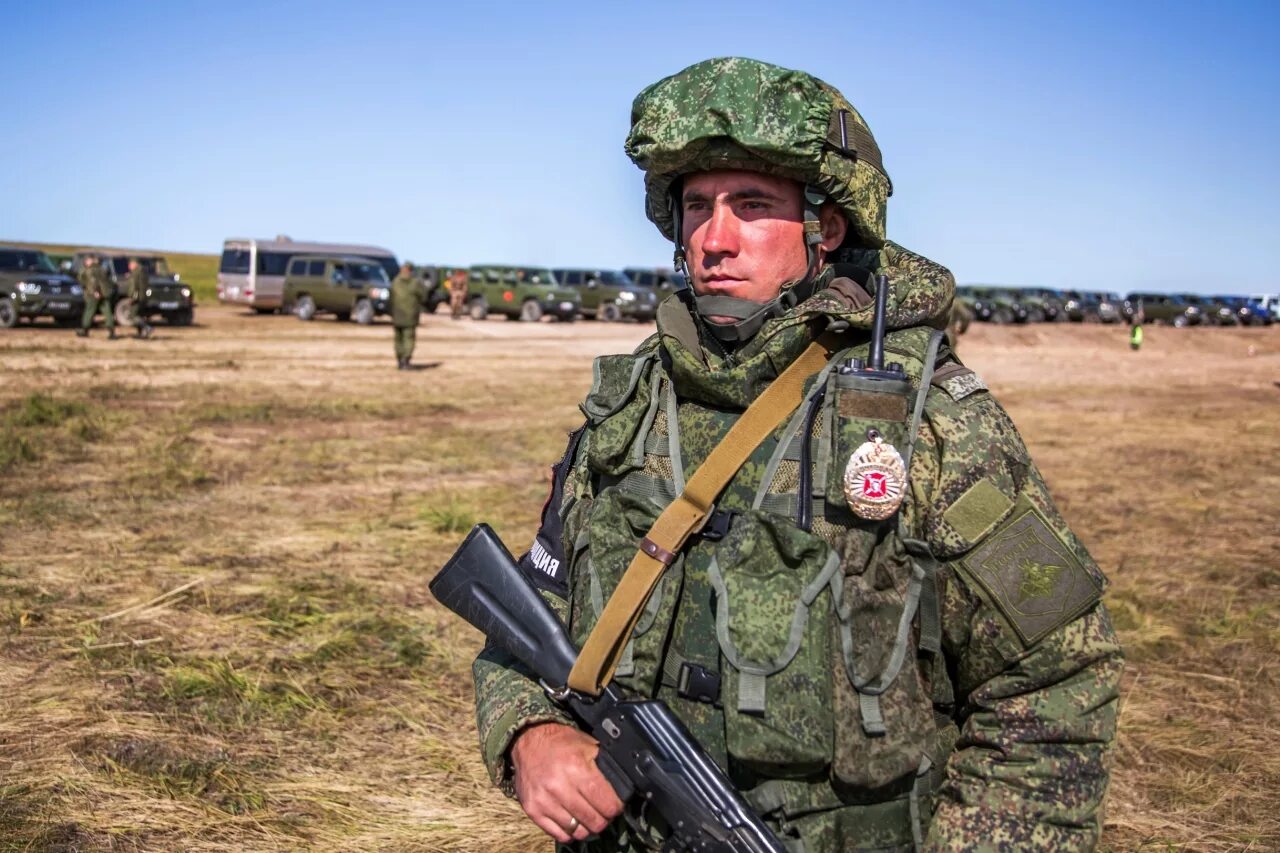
(748, 316)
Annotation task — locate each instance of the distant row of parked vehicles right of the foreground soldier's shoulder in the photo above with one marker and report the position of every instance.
(1004, 305)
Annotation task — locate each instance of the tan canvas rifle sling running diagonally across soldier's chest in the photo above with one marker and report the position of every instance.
(685, 517)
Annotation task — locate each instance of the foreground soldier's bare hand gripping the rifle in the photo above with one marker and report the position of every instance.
(559, 783)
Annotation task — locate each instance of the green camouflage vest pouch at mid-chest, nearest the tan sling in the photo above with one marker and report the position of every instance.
(775, 626)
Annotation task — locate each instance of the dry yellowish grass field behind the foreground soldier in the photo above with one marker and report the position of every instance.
(216, 632)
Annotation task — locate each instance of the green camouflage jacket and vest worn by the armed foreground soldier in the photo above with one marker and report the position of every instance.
(994, 732)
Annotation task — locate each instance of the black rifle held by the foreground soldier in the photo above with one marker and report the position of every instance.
(646, 751)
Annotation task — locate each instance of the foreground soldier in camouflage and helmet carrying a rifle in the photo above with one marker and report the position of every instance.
(885, 632)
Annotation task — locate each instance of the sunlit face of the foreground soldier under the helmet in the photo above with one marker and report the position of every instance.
(744, 234)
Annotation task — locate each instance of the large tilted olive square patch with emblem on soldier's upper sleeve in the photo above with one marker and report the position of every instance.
(1032, 577)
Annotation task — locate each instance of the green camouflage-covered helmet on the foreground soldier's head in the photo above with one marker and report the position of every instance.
(735, 113)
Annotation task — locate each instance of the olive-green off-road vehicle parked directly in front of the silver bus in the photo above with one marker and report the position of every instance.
(348, 286)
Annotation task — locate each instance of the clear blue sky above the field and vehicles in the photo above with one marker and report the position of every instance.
(1118, 145)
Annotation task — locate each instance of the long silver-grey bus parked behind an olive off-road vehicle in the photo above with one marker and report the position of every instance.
(252, 272)
